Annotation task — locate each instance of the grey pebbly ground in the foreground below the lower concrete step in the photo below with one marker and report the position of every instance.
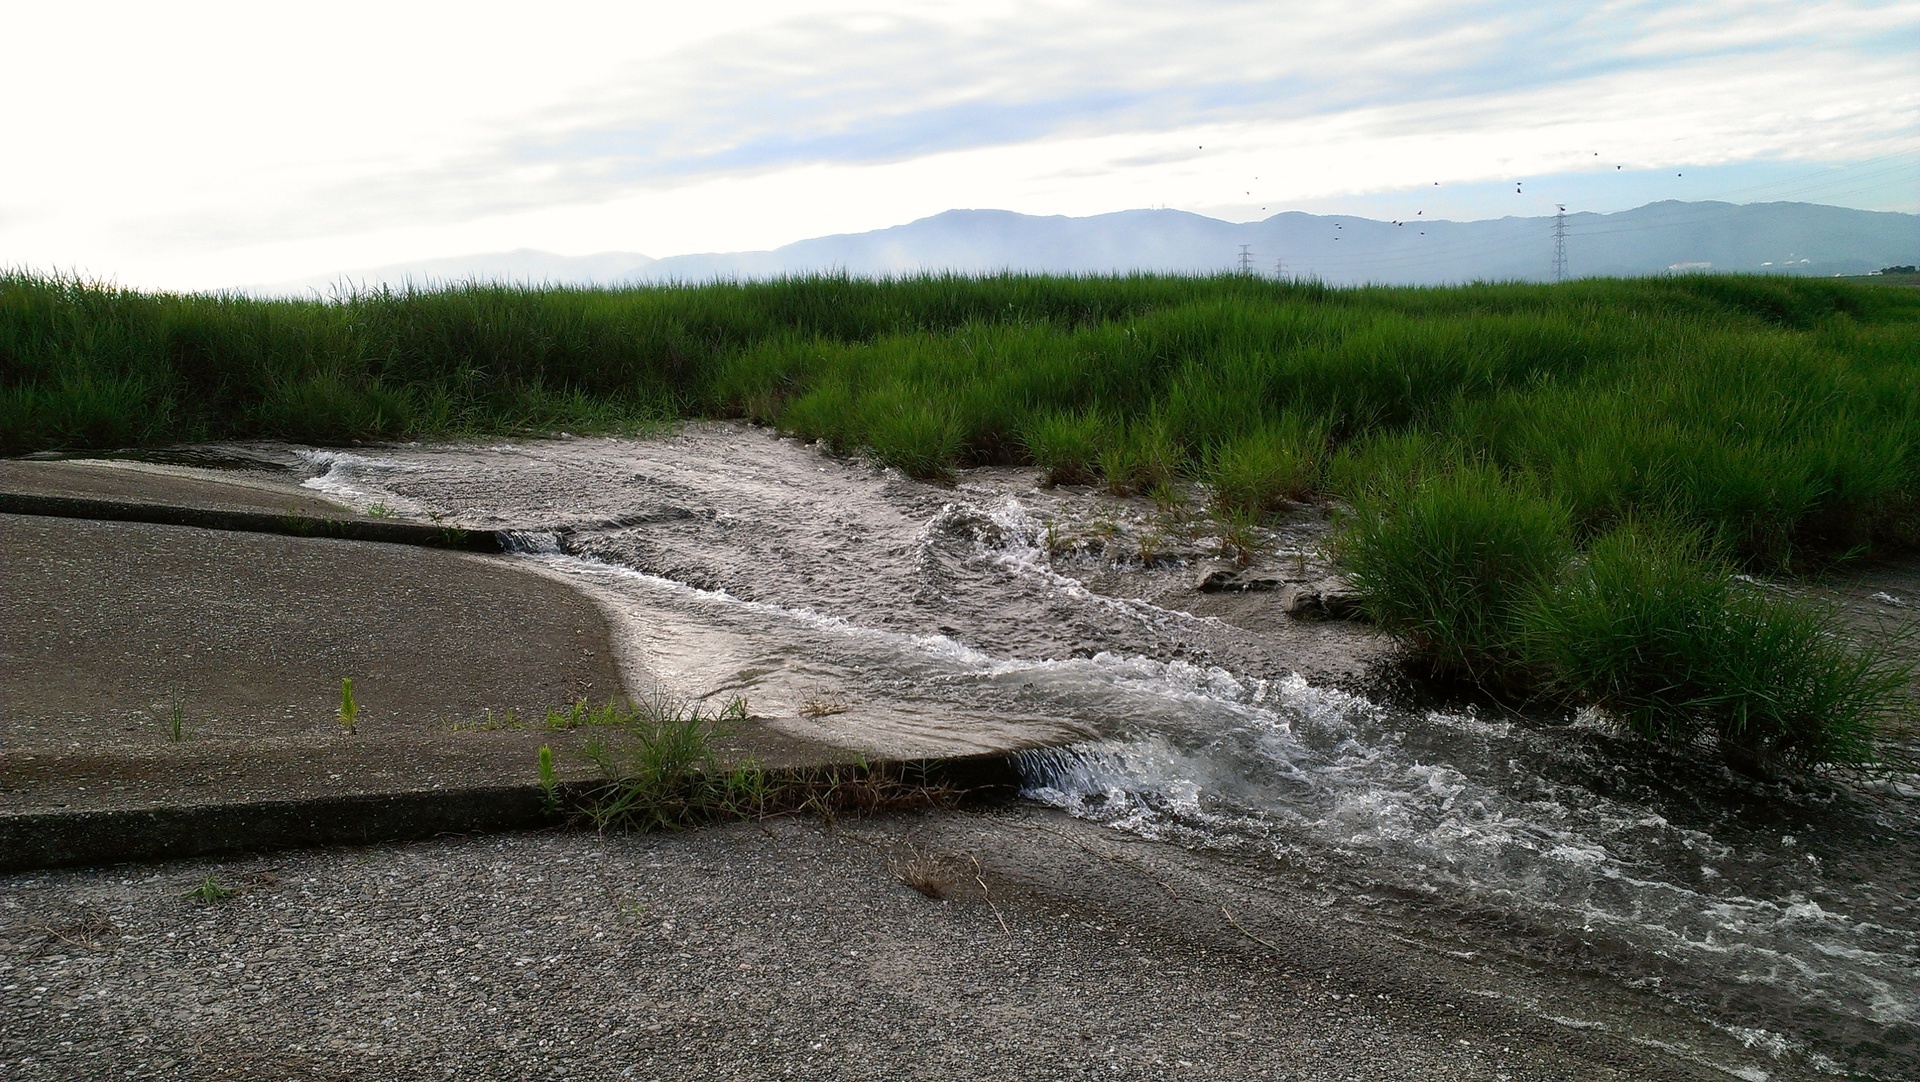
(788, 949)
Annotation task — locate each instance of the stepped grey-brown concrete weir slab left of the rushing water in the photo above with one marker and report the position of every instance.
(172, 661)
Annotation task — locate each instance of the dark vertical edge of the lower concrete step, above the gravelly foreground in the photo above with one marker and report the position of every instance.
(55, 839)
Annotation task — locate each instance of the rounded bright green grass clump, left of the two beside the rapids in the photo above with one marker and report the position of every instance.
(1449, 565)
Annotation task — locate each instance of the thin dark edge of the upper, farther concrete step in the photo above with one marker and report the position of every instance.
(254, 523)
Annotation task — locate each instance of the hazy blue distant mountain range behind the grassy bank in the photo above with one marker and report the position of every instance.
(1671, 237)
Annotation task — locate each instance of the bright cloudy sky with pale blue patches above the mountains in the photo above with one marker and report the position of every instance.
(203, 147)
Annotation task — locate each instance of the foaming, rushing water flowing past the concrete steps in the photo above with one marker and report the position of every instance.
(852, 605)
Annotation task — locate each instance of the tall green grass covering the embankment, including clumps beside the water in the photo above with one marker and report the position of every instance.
(1550, 488)
